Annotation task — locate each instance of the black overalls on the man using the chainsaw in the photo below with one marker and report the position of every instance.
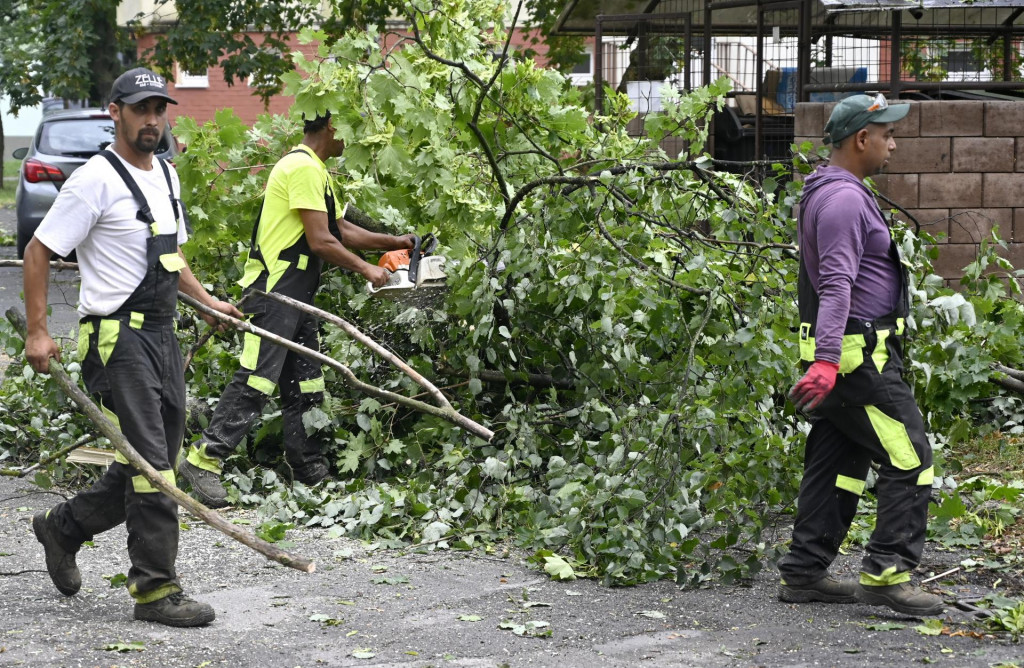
(265, 365)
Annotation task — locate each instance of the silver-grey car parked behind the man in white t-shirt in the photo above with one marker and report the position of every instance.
(64, 142)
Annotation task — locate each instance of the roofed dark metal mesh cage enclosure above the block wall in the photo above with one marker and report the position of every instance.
(780, 53)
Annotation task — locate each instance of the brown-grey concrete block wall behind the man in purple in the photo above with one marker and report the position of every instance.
(958, 169)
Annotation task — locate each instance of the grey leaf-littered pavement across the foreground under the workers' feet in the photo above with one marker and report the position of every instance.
(367, 607)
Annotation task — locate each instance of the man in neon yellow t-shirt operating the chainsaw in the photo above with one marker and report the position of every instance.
(297, 231)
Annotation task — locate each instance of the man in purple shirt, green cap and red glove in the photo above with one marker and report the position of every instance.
(854, 301)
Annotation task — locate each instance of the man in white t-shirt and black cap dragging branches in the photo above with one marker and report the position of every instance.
(122, 214)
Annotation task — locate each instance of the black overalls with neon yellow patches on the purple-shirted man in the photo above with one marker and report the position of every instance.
(870, 415)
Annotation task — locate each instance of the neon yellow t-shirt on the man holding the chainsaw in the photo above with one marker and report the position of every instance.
(297, 182)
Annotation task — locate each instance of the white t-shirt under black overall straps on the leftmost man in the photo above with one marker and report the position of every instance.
(96, 215)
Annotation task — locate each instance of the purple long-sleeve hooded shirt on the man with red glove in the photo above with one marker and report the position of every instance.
(845, 246)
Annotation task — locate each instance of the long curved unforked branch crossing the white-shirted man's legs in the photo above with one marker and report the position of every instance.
(122, 446)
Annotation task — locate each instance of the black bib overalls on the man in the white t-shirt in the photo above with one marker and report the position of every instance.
(133, 365)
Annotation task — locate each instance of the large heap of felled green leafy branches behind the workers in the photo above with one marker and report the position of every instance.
(620, 317)
